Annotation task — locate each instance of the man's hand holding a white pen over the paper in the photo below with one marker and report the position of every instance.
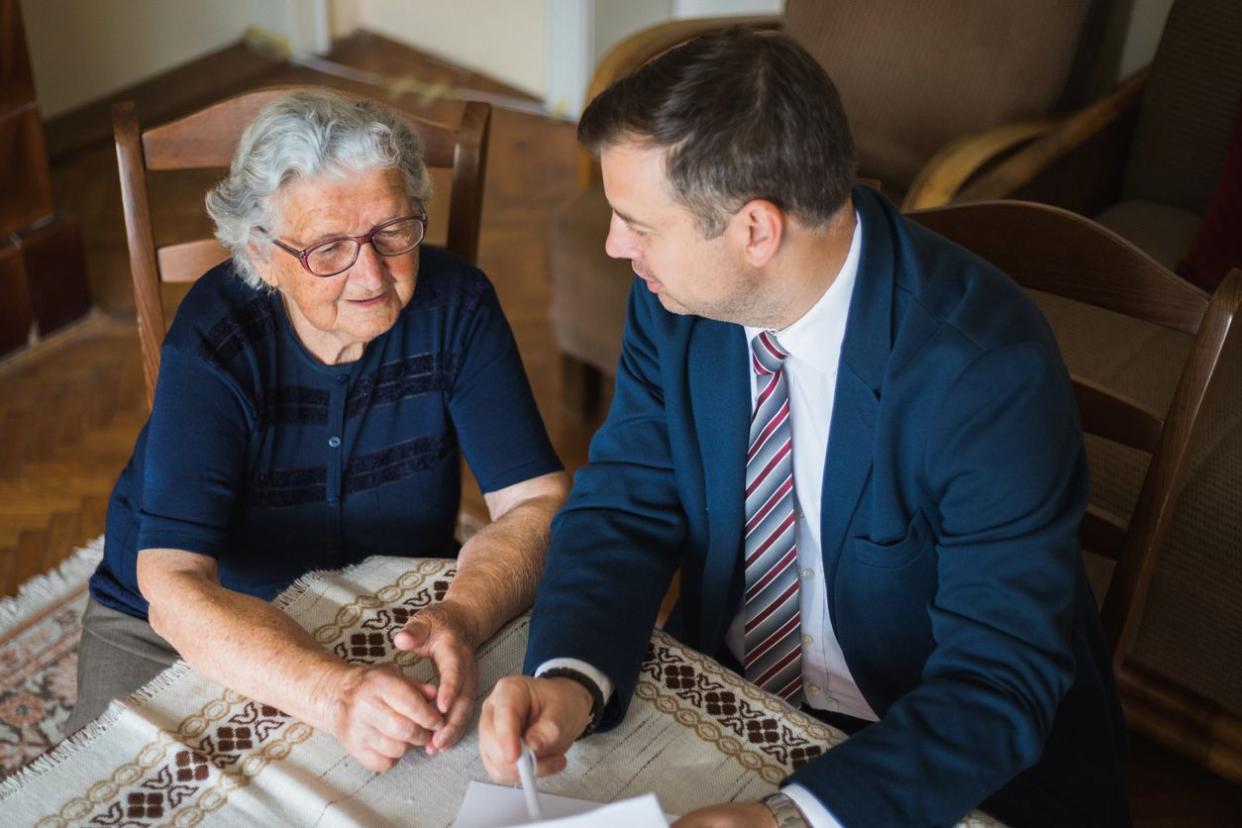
(548, 714)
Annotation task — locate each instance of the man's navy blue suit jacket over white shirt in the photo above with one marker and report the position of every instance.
(953, 487)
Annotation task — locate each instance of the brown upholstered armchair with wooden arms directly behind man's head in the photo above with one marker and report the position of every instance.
(913, 78)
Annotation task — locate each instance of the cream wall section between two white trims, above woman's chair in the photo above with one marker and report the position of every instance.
(505, 39)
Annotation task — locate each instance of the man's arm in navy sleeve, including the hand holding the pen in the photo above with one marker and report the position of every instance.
(615, 547)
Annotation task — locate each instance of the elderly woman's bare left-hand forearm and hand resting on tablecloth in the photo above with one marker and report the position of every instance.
(252, 647)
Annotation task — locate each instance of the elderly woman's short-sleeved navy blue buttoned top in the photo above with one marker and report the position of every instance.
(276, 465)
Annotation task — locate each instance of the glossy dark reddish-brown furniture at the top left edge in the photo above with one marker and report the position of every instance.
(43, 270)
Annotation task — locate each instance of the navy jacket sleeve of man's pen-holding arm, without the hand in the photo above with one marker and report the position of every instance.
(619, 539)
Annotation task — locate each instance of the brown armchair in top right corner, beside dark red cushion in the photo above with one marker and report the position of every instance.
(1145, 161)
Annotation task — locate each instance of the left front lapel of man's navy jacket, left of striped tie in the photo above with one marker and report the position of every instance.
(721, 398)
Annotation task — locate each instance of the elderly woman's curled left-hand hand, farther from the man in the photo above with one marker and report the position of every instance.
(377, 713)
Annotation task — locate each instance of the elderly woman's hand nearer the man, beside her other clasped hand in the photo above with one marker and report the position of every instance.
(444, 634)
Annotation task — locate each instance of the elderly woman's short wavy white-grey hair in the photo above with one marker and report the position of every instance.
(302, 136)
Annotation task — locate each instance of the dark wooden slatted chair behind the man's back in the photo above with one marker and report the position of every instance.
(1051, 250)
